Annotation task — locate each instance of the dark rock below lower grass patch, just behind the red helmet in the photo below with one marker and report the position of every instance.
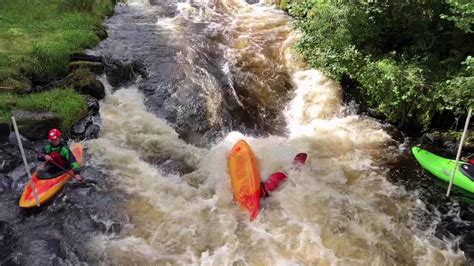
(35, 125)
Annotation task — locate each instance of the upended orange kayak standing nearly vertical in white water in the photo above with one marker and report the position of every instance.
(245, 177)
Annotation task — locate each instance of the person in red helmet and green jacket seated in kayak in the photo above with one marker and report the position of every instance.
(57, 153)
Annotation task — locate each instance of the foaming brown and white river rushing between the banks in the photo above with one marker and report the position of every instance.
(218, 71)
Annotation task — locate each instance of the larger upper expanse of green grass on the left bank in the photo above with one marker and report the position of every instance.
(37, 36)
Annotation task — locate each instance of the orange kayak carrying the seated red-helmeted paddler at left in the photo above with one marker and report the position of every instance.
(47, 188)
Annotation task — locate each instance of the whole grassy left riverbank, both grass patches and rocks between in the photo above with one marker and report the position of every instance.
(36, 41)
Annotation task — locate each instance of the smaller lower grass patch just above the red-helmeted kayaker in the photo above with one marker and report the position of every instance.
(67, 103)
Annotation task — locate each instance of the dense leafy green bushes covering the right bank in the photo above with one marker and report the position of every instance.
(411, 61)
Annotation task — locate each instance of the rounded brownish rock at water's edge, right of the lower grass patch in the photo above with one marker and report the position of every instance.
(85, 82)
